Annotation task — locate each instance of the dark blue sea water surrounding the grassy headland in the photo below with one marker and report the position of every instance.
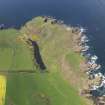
(87, 13)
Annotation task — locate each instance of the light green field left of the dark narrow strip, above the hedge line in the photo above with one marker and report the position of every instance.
(14, 55)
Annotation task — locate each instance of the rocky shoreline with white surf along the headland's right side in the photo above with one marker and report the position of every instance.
(95, 90)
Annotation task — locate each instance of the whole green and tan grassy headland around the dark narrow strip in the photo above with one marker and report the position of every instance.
(26, 83)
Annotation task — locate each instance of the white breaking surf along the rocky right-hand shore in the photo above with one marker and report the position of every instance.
(94, 71)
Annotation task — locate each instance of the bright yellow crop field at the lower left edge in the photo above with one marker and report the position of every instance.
(2, 89)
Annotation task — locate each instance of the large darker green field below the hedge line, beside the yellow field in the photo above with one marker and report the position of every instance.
(40, 89)
